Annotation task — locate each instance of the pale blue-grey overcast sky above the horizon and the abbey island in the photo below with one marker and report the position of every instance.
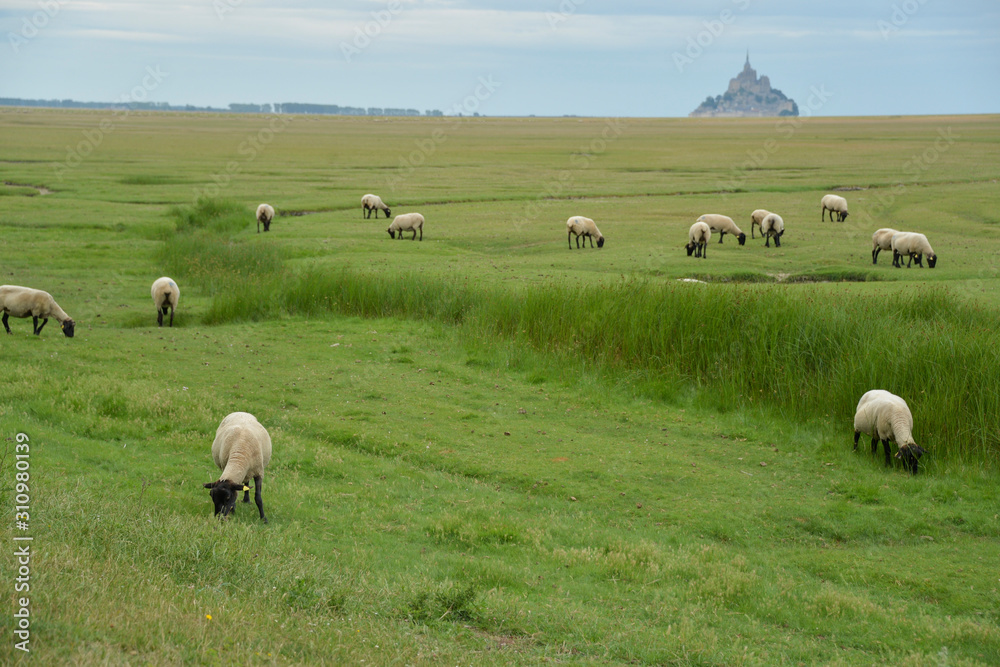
(519, 57)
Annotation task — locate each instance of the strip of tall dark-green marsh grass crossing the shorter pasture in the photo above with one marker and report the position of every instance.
(799, 353)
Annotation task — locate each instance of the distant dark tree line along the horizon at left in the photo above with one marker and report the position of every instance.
(284, 107)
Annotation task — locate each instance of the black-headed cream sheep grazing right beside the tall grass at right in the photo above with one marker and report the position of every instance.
(887, 417)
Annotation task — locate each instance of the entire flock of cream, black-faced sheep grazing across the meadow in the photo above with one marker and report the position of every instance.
(242, 446)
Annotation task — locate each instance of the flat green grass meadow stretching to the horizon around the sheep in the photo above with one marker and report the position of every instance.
(488, 448)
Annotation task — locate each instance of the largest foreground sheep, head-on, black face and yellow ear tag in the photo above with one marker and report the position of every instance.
(241, 449)
